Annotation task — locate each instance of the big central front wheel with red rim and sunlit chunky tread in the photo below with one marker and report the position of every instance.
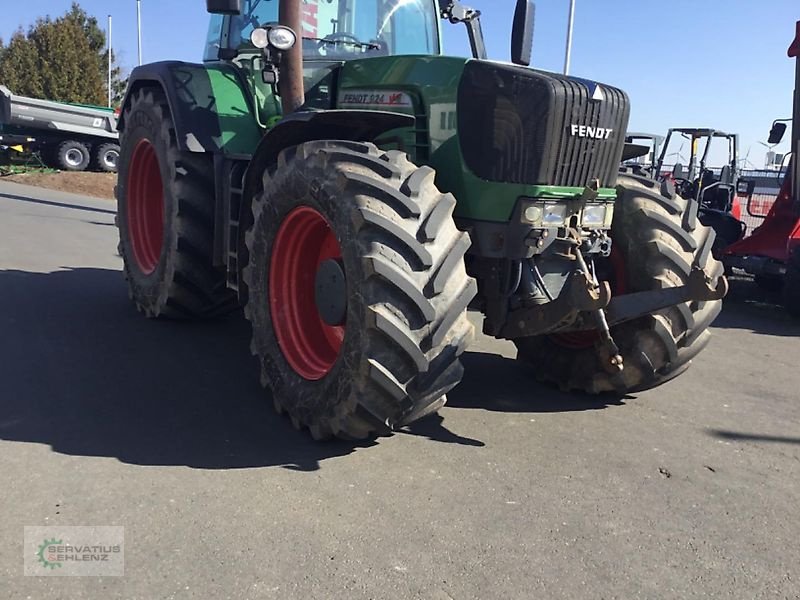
(357, 289)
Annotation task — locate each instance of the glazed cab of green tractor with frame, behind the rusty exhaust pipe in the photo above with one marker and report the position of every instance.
(331, 33)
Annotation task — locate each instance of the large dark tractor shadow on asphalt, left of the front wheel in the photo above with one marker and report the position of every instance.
(84, 373)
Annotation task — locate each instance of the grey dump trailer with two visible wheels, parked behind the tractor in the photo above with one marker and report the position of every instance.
(71, 137)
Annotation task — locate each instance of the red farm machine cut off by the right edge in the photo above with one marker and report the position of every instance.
(772, 252)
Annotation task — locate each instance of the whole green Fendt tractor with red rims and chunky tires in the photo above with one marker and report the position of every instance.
(355, 191)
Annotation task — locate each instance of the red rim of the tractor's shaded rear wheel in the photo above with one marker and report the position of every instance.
(145, 196)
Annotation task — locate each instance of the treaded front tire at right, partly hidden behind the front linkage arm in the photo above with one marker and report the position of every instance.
(657, 240)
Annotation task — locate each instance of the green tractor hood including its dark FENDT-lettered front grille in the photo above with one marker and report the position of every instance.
(513, 124)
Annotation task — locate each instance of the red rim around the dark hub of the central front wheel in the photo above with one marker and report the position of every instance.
(305, 239)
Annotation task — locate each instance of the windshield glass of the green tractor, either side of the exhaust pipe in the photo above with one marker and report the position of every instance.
(343, 29)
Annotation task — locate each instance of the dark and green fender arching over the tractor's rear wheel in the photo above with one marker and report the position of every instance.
(201, 98)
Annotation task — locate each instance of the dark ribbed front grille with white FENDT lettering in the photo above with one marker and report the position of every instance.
(516, 126)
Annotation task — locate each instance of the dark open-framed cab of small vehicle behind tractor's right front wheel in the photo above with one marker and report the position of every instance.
(712, 172)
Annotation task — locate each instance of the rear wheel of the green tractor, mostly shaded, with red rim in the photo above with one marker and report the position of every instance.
(166, 218)
